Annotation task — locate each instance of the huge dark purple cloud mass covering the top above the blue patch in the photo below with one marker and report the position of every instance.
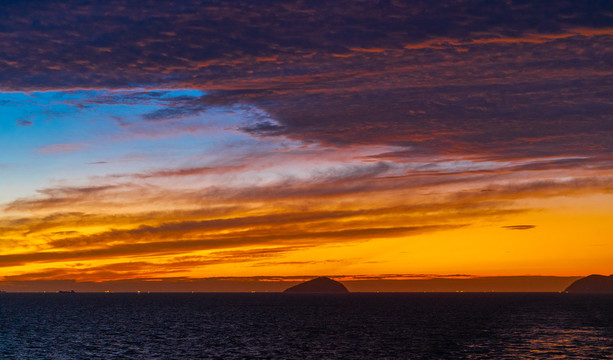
(504, 79)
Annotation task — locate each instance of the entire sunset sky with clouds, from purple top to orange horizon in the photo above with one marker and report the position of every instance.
(179, 141)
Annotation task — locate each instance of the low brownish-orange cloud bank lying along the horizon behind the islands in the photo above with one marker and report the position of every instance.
(355, 283)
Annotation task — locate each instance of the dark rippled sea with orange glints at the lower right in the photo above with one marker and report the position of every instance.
(278, 326)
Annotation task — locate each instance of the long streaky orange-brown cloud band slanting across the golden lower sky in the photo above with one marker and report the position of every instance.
(163, 233)
